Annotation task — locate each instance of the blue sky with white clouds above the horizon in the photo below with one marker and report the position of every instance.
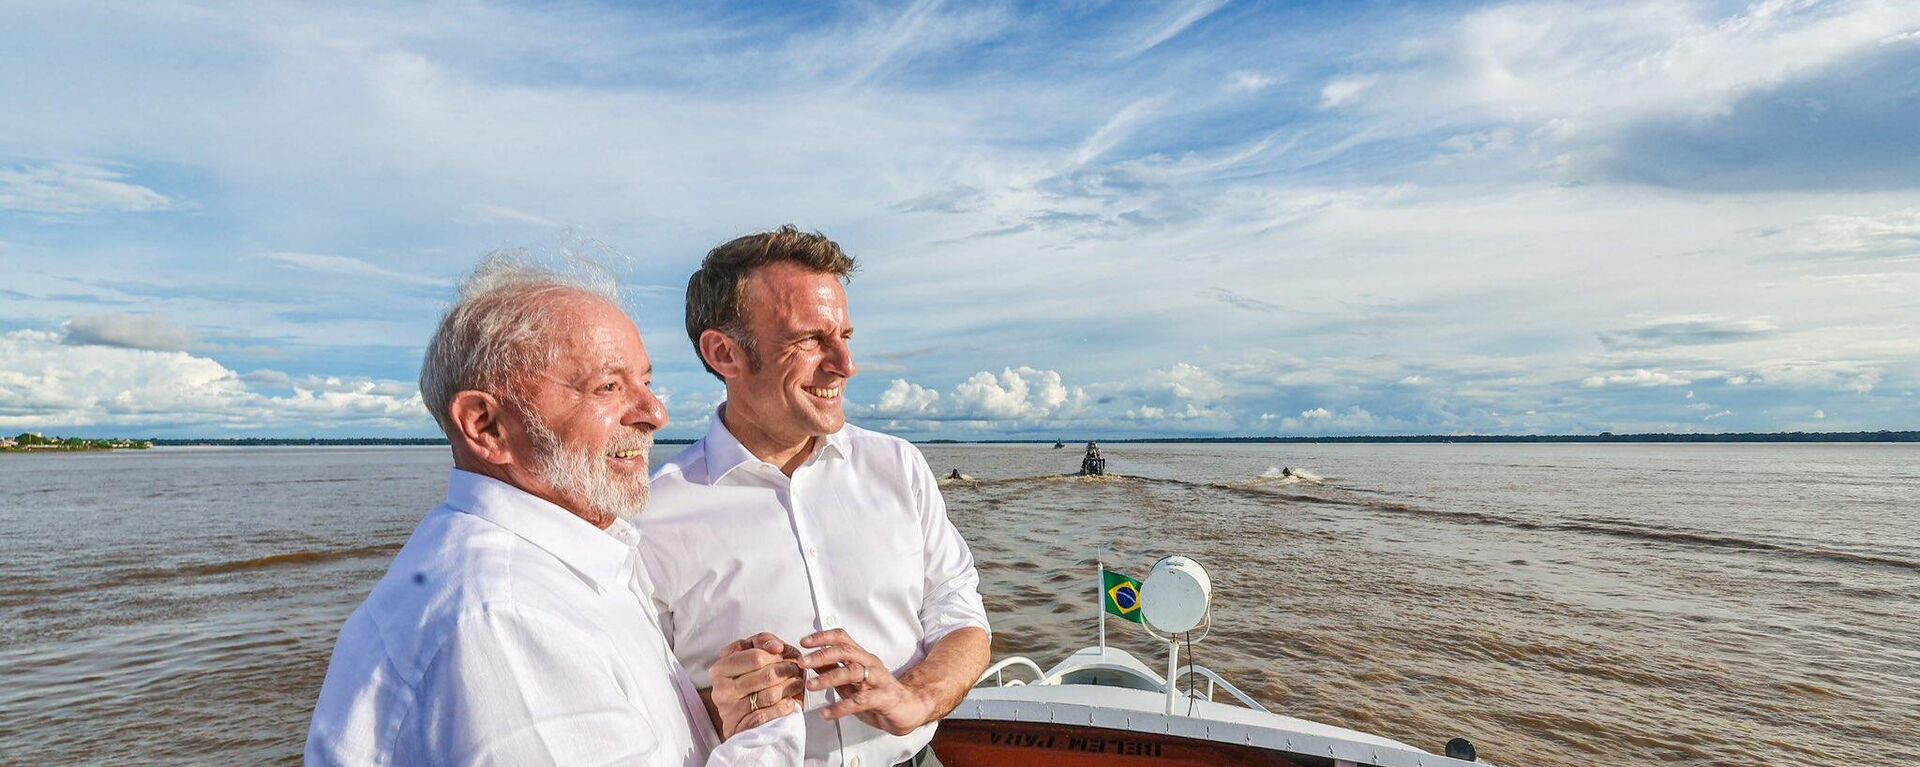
(1082, 220)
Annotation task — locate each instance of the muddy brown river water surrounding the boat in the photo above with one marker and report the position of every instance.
(1558, 605)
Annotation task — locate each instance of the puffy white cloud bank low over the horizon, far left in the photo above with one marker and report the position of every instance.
(51, 385)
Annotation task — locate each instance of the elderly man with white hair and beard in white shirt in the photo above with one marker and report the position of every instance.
(516, 626)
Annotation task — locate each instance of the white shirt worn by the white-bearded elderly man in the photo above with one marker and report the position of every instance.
(514, 633)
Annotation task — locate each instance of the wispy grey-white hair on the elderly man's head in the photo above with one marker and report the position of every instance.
(500, 330)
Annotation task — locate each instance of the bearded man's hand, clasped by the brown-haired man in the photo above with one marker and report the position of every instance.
(756, 681)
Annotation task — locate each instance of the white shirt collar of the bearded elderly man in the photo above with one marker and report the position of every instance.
(600, 557)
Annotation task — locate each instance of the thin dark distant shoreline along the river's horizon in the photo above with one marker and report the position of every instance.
(1366, 439)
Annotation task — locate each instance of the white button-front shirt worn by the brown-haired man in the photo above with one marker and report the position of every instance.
(857, 539)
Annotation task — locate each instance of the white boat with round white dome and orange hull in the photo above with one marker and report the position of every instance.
(1105, 708)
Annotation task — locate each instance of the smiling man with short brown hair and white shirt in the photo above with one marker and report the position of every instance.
(821, 533)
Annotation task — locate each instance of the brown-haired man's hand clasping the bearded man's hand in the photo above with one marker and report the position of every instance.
(865, 685)
